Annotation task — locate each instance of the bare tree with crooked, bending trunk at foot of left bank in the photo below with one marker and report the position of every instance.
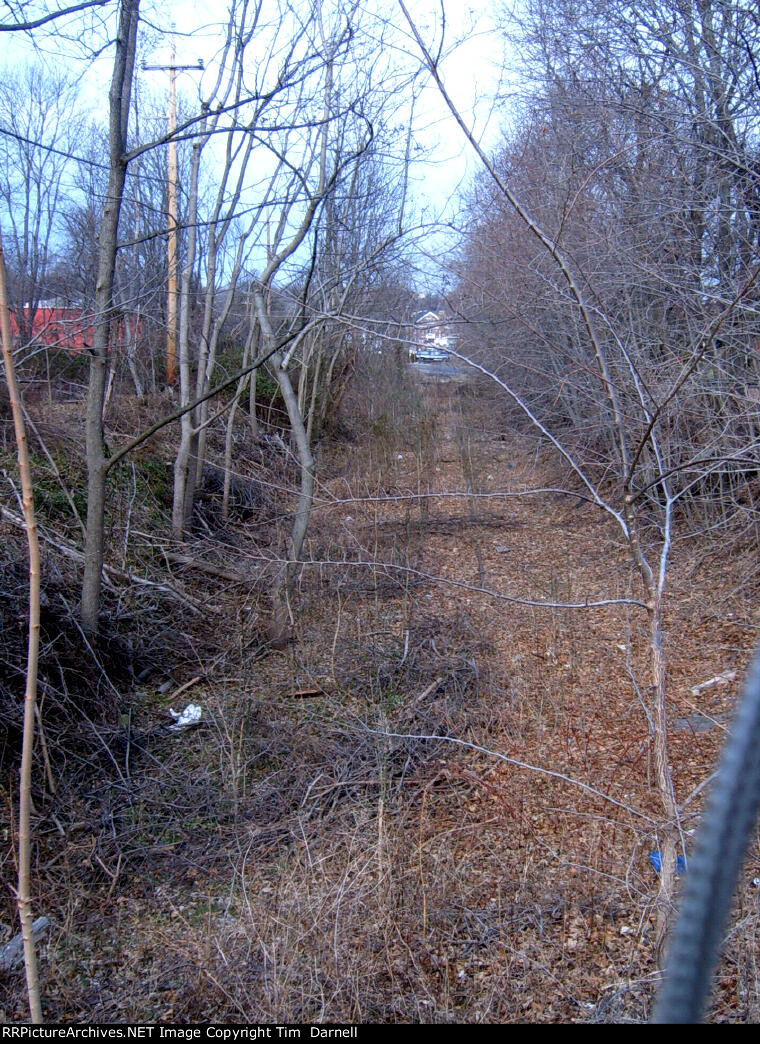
(338, 160)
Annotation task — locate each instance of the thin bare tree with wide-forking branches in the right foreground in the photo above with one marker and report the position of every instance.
(619, 283)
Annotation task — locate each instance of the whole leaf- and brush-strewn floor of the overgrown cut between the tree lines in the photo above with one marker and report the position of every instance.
(438, 803)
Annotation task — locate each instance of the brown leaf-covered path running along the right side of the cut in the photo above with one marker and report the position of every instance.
(559, 694)
